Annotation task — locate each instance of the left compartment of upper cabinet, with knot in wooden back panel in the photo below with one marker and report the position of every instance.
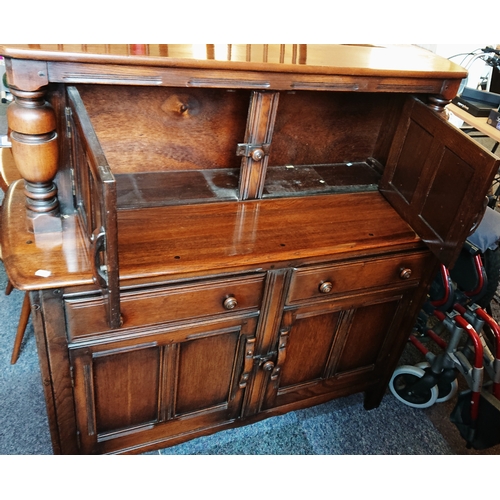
(168, 145)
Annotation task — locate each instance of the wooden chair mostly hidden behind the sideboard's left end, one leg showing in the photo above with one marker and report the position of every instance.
(8, 174)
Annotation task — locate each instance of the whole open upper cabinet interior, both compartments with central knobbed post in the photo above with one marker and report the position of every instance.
(170, 145)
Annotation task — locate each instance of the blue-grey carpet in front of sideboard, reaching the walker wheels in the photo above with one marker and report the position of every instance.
(340, 427)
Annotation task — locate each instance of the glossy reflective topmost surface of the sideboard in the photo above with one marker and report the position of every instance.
(362, 60)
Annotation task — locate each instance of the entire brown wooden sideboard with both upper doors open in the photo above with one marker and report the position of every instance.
(212, 235)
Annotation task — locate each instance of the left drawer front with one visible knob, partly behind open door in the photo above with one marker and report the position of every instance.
(86, 316)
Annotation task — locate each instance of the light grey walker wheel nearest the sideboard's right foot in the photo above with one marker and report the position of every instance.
(400, 385)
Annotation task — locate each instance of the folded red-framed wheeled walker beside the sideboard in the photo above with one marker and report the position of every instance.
(466, 341)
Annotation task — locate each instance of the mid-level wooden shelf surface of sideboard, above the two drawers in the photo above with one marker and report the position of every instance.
(311, 229)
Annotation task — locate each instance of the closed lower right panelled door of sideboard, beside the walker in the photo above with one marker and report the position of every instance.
(335, 347)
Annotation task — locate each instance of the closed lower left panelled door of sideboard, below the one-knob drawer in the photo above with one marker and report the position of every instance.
(162, 386)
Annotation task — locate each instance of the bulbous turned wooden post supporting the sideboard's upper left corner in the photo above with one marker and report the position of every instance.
(34, 147)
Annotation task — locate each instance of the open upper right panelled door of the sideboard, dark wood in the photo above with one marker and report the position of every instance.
(437, 179)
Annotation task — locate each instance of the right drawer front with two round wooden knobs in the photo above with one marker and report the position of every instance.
(325, 281)
